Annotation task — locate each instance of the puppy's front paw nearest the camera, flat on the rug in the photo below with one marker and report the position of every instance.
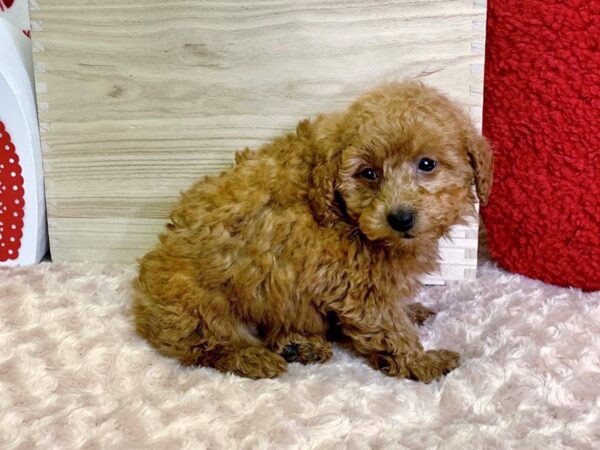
(426, 367)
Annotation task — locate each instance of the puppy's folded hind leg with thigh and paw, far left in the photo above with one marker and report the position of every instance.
(198, 327)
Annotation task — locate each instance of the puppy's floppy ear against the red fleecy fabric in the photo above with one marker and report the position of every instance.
(481, 159)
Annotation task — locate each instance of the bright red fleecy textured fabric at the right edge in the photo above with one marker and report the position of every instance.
(542, 116)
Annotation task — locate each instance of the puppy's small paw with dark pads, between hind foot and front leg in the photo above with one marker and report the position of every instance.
(295, 347)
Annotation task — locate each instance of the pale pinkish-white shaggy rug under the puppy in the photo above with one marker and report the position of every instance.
(74, 375)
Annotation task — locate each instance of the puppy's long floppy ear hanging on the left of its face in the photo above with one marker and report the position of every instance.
(324, 176)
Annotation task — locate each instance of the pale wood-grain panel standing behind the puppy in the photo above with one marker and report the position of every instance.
(138, 99)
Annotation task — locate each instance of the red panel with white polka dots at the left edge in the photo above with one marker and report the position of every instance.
(11, 198)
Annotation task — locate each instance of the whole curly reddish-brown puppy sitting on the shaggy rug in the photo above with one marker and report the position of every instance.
(257, 261)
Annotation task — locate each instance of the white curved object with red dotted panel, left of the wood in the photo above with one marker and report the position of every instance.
(19, 116)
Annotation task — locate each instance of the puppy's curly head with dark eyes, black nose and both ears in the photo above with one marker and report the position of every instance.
(399, 164)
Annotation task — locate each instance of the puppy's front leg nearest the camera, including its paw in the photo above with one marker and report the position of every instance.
(385, 335)
